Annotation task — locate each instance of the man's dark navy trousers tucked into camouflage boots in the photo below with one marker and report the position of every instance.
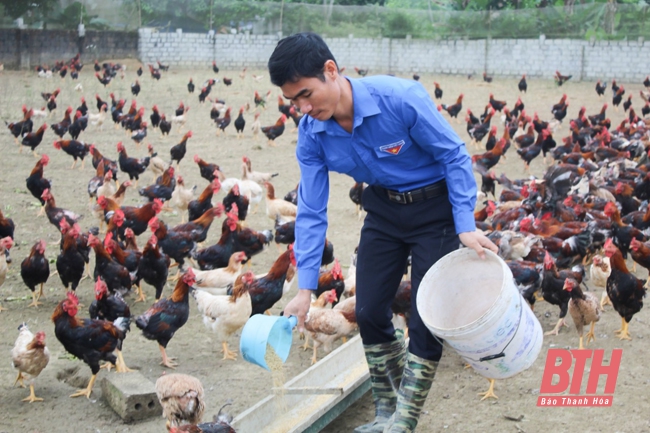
(390, 231)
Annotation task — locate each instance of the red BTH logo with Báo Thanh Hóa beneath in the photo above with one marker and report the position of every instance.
(590, 396)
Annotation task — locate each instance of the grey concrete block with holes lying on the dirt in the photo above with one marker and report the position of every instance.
(132, 396)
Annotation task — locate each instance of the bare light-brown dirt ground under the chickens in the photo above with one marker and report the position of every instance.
(453, 404)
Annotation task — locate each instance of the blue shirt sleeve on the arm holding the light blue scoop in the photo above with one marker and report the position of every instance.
(311, 220)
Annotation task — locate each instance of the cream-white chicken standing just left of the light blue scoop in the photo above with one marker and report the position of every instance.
(226, 314)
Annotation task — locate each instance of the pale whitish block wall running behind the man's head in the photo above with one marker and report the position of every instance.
(510, 57)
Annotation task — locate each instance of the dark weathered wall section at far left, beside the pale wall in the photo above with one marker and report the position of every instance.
(28, 48)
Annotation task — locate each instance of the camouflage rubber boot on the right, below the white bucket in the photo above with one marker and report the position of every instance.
(412, 393)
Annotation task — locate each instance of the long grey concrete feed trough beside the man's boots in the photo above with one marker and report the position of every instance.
(311, 400)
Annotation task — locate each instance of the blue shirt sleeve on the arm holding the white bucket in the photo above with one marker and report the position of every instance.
(433, 133)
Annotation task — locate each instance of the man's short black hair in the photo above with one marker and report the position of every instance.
(302, 55)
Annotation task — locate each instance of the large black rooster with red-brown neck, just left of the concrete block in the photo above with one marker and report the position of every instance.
(89, 340)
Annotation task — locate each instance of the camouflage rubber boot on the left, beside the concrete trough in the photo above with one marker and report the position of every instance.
(386, 364)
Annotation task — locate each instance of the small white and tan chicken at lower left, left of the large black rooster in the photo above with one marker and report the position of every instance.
(29, 356)
